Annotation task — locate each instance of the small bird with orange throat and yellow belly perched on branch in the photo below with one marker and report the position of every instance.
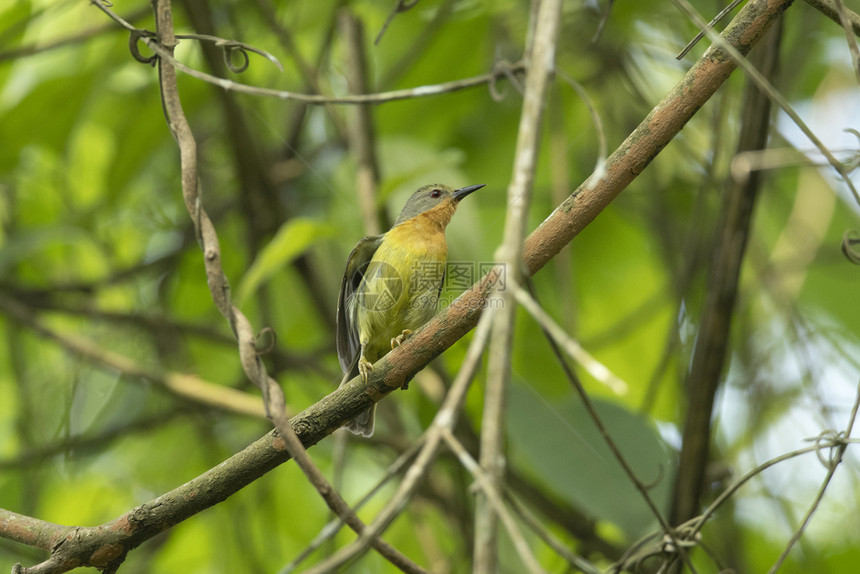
(391, 285)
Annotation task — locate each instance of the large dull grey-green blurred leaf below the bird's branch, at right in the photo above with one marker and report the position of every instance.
(562, 446)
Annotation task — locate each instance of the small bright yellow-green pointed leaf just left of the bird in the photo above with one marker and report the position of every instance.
(291, 240)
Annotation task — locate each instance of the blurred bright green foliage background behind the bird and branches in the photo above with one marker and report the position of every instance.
(96, 244)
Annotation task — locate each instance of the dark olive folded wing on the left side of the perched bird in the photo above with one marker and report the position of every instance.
(347, 333)
